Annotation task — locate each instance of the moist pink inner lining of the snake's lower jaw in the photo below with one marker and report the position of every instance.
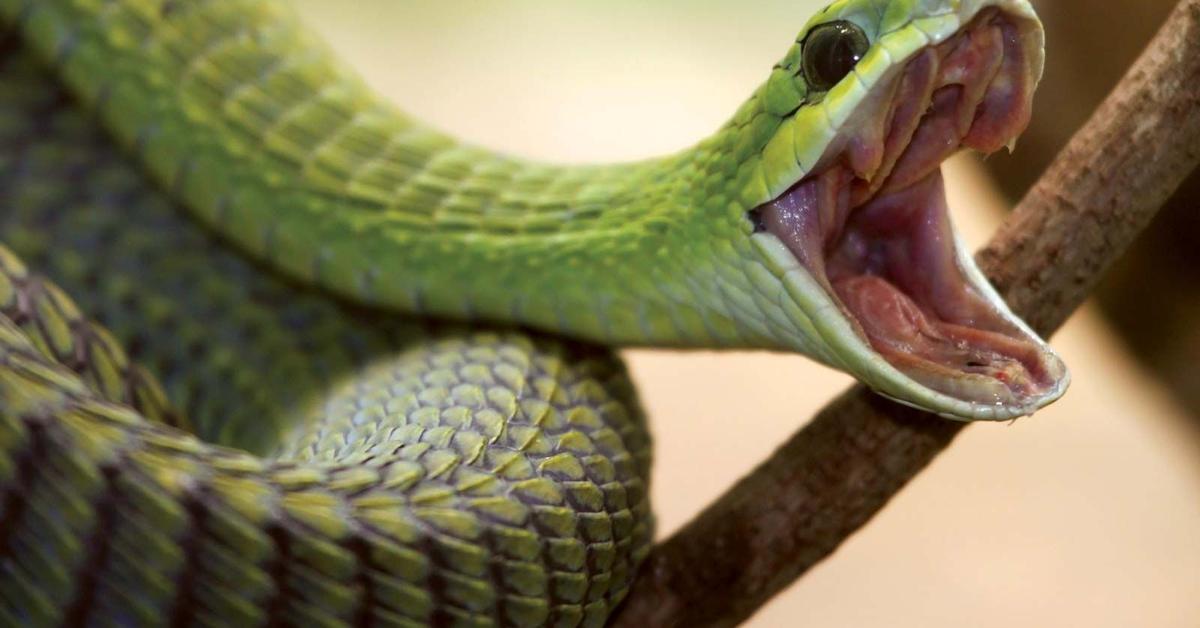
(897, 276)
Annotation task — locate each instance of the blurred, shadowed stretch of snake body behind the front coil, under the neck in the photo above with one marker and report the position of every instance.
(80, 213)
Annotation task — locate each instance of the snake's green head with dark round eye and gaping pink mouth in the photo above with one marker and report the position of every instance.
(848, 212)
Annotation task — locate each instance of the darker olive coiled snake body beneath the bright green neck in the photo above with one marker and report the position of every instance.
(422, 475)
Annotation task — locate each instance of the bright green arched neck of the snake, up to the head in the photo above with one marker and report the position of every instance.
(250, 122)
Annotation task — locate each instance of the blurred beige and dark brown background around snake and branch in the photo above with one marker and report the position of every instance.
(1088, 515)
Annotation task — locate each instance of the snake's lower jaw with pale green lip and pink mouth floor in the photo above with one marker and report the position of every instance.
(979, 364)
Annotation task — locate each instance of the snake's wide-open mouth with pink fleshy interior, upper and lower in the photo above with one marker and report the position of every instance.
(871, 224)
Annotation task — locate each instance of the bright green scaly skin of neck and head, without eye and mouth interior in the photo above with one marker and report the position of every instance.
(248, 121)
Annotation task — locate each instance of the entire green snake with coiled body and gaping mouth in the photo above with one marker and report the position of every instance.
(323, 366)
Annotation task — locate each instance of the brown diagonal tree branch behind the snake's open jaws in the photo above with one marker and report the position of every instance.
(841, 470)
